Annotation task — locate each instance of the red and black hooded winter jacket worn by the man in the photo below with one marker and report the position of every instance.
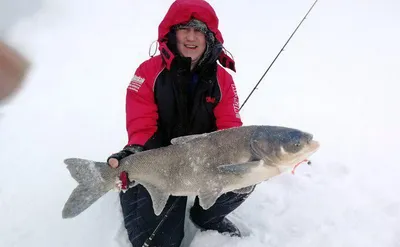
(158, 106)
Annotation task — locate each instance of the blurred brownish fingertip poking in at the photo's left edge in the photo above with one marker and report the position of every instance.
(13, 68)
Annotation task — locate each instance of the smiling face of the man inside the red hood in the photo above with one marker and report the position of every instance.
(191, 43)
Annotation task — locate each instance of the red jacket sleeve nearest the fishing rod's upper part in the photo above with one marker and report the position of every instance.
(227, 111)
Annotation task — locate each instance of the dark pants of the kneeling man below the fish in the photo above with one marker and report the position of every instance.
(140, 220)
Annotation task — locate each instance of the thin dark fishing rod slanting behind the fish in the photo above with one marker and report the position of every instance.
(149, 240)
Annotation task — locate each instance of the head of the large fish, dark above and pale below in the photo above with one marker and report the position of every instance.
(282, 147)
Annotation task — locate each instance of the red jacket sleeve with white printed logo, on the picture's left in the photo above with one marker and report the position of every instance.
(141, 110)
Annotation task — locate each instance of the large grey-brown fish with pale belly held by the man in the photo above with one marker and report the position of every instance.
(205, 165)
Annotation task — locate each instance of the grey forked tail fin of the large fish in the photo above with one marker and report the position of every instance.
(91, 187)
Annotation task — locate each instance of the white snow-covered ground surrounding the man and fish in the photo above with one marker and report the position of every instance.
(337, 79)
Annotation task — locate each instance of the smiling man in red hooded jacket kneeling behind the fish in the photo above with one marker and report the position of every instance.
(182, 91)
